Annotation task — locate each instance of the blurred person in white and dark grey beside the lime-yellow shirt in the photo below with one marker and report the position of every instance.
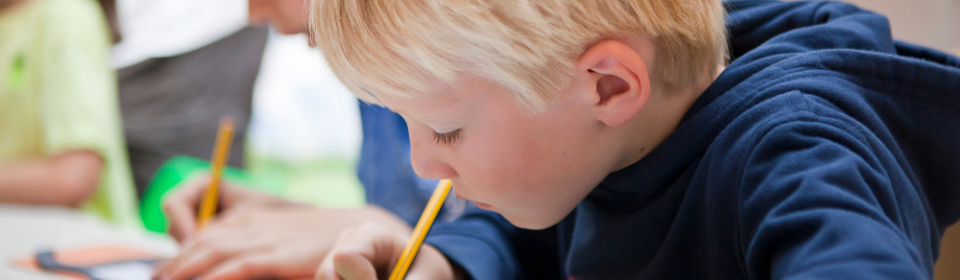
(182, 66)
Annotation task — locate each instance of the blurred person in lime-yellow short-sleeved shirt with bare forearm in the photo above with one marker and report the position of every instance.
(61, 141)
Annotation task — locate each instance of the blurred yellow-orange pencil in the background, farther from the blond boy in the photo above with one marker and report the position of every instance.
(220, 154)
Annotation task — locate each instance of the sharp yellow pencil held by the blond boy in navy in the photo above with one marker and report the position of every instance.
(420, 231)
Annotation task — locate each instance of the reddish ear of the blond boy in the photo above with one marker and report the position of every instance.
(615, 79)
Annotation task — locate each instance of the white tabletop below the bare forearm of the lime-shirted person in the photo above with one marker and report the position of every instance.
(26, 229)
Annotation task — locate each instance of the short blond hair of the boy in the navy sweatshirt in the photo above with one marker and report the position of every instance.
(388, 47)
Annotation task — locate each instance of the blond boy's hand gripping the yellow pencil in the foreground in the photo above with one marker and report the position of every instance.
(370, 252)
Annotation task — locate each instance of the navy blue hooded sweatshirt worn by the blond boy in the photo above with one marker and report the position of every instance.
(826, 150)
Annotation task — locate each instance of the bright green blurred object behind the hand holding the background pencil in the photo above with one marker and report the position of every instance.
(180, 168)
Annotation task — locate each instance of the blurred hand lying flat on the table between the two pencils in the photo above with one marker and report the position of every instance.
(278, 242)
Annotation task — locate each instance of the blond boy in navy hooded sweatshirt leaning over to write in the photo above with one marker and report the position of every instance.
(823, 150)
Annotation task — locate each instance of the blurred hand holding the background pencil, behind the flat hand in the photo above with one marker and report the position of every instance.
(181, 207)
